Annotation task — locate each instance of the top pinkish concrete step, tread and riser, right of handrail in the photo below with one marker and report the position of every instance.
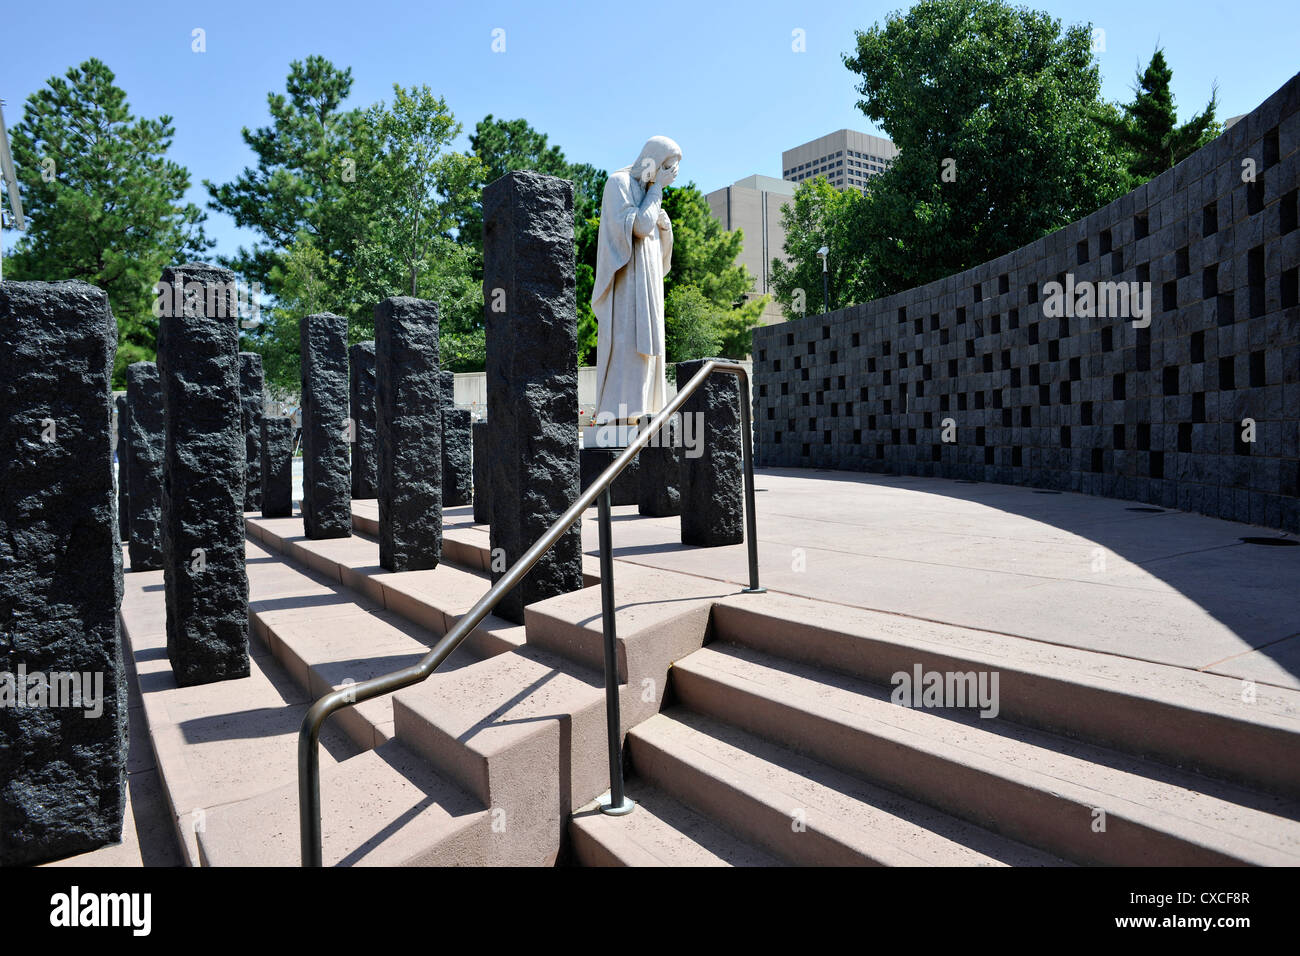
(1188, 719)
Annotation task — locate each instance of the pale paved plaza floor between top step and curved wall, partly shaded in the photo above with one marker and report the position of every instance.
(1067, 569)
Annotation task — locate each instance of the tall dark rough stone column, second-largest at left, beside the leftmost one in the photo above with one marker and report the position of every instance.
(203, 482)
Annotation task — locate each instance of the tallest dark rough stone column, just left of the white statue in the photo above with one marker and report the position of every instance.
(531, 313)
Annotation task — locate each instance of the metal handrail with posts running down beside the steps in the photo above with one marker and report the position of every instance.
(309, 737)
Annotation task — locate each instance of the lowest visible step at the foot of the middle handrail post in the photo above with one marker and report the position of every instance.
(660, 833)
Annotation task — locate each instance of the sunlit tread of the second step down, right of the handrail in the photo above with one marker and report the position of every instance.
(1232, 819)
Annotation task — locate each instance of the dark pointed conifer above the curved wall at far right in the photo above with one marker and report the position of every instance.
(1149, 132)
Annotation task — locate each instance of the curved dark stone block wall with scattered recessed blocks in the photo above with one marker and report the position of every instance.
(1082, 404)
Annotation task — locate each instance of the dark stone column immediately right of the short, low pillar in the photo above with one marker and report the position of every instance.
(327, 471)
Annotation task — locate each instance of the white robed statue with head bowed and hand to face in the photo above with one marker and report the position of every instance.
(634, 253)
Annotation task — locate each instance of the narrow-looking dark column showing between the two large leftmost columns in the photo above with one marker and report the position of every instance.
(148, 443)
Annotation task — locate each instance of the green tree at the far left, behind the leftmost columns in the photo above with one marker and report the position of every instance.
(106, 205)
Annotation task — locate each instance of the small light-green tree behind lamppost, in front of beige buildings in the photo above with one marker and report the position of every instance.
(820, 217)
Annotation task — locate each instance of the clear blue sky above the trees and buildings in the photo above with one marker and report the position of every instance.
(597, 79)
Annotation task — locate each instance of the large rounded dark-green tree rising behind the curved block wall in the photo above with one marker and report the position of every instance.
(995, 111)
